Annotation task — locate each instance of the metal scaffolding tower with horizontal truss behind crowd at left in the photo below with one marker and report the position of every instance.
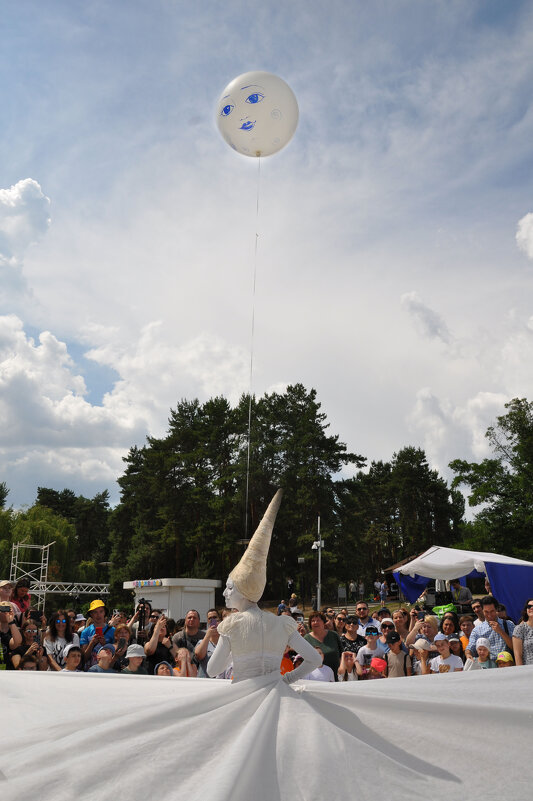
(31, 561)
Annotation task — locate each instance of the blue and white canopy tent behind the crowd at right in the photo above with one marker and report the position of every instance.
(511, 579)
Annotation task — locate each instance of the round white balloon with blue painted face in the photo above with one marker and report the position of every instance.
(257, 113)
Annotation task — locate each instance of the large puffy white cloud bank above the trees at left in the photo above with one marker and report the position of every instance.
(49, 428)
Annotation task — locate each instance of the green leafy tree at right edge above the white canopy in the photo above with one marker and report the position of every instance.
(503, 485)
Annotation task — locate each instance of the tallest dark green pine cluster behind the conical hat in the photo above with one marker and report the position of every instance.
(183, 497)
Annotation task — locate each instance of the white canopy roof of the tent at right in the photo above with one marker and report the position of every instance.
(449, 563)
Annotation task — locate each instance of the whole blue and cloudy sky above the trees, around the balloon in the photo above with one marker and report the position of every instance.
(395, 250)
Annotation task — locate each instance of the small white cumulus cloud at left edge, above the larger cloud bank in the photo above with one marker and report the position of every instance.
(24, 217)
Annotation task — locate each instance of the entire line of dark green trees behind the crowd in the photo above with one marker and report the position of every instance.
(185, 509)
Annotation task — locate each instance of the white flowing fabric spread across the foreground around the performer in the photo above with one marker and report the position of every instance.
(97, 737)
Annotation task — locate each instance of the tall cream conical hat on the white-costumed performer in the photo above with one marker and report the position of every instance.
(249, 575)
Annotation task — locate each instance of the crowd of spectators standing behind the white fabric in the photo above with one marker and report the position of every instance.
(353, 647)
